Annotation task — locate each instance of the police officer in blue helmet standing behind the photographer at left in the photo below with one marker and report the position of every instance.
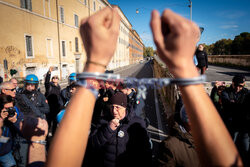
(31, 101)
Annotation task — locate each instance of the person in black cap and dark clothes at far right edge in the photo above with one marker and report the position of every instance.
(233, 100)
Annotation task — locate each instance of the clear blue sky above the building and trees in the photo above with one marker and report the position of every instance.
(220, 18)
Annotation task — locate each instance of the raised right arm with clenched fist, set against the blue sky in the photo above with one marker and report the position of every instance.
(176, 47)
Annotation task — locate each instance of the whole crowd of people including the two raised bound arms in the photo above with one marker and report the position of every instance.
(95, 125)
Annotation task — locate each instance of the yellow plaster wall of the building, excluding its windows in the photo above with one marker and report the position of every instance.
(41, 23)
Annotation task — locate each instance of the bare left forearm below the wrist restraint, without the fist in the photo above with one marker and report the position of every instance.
(72, 135)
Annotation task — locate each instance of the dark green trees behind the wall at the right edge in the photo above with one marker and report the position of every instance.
(240, 45)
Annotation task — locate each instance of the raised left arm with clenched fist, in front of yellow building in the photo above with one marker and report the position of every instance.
(99, 33)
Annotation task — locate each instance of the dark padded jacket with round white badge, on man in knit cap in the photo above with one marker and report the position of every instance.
(128, 145)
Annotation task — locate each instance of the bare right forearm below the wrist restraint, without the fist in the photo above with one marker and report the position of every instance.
(212, 148)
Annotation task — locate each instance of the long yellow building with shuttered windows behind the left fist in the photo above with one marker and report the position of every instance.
(37, 34)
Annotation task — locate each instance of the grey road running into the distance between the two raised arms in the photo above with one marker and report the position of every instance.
(153, 110)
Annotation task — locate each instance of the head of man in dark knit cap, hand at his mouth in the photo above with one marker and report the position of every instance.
(118, 104)
